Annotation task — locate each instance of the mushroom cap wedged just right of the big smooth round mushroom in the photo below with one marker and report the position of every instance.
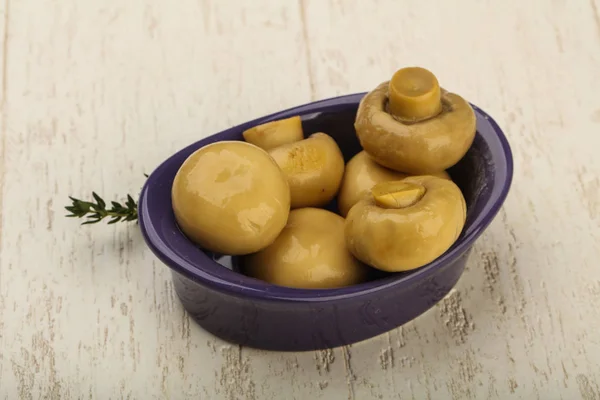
(314, 168)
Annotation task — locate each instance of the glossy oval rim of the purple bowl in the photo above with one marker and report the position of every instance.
(244, 286)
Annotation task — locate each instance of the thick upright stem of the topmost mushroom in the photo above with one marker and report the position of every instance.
(414, 94)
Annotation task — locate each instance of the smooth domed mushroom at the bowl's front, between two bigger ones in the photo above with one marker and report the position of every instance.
(310, 253)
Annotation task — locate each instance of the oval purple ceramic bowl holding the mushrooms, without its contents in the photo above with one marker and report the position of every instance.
(249, 312)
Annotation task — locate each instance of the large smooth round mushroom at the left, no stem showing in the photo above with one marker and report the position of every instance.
(230, 197)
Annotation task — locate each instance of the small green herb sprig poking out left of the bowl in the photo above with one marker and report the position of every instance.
(95, 211)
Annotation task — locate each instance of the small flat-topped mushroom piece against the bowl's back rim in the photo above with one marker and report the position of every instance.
(275, 133)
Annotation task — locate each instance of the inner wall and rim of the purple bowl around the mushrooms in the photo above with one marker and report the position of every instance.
(484, 176)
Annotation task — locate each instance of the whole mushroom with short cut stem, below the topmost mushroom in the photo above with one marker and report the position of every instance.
(406, 224)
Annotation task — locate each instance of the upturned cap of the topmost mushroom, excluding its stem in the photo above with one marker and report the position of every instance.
(423, 147)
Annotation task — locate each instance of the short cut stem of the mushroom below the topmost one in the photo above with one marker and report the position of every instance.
(397, 194)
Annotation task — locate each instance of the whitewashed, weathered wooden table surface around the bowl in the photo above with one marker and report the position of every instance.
(96, 93)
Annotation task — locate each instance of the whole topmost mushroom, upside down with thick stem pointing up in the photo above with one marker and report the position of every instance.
(410, 124)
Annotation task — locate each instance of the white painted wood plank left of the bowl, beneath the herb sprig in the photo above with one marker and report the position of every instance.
(99, 93)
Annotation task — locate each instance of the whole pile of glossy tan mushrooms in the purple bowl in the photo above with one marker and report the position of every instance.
(262, 198)
